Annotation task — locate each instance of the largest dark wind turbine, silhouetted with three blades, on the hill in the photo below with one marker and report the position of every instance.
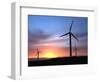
(70, 37)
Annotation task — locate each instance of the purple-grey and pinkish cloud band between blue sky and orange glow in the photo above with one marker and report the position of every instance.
(39, 37)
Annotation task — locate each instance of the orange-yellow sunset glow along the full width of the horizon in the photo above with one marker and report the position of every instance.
(54, 52)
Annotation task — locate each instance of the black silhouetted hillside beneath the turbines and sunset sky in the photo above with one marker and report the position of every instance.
(60, 61)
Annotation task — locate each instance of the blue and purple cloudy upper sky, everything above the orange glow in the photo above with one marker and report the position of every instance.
(44, 30)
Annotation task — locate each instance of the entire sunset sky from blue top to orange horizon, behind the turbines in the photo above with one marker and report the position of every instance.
(44, 32)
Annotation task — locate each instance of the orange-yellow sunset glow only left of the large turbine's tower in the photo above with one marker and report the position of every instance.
(49, 52)
